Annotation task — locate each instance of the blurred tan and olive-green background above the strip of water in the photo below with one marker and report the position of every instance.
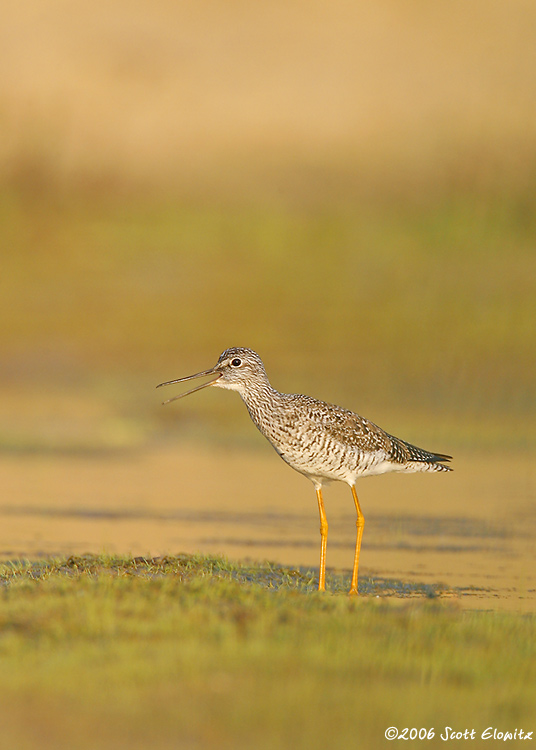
(349, 189)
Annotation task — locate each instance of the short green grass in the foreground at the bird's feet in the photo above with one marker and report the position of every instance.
(200, 652)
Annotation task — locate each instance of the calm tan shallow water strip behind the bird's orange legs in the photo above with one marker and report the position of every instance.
(471, 531)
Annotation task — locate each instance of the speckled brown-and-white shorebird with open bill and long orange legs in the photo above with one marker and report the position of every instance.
(321, 441)
